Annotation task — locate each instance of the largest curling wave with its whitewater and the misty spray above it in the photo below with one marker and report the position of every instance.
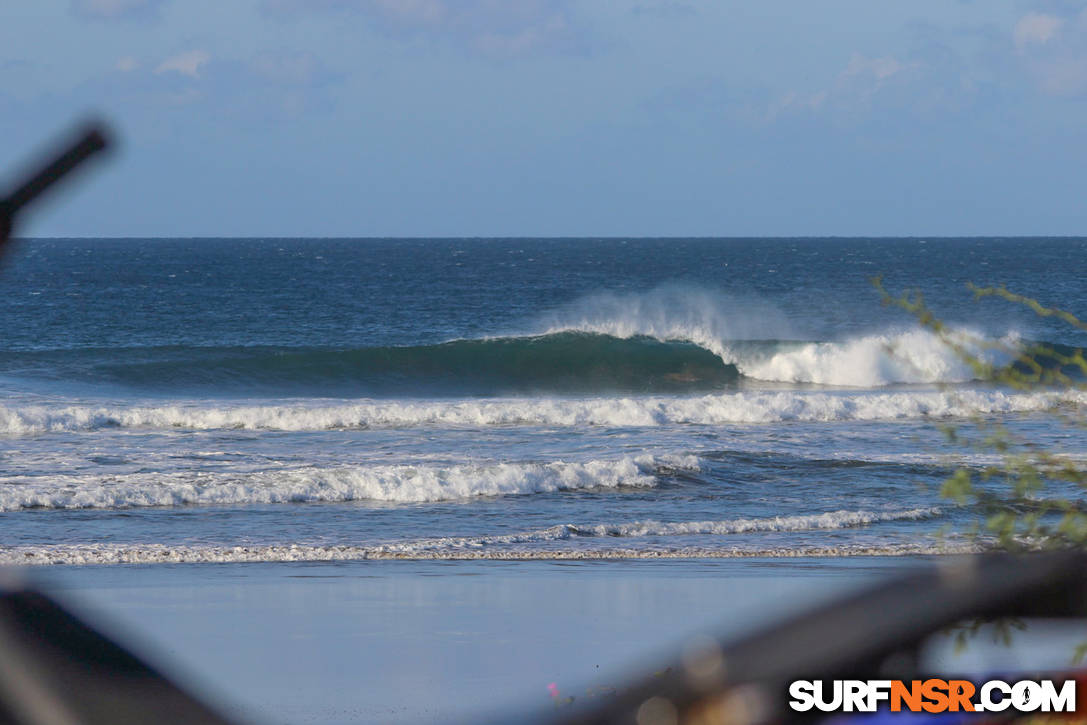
(666, 341)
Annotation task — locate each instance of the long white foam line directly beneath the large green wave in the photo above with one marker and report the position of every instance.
(763, 407)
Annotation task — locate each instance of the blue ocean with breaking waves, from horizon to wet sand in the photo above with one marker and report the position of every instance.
(234, 401)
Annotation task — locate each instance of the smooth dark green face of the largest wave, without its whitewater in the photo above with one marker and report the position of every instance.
(564, 362)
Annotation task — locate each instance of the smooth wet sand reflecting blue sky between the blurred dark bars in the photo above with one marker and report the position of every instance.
(428, 642)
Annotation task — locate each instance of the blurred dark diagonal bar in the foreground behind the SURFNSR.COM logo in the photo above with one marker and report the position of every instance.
(873, 635)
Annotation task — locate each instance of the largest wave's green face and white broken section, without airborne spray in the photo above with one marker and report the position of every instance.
(564, 361)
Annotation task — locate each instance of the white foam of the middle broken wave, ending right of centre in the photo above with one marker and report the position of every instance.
(379, 483)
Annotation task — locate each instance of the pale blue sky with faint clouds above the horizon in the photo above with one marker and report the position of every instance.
(535, 118)
